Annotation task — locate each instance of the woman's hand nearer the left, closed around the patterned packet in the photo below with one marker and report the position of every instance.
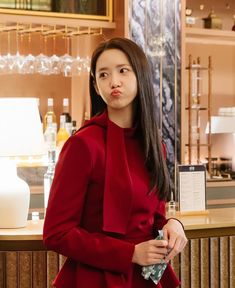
(150, 252)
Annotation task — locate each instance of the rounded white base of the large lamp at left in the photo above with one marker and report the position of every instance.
(14, 197)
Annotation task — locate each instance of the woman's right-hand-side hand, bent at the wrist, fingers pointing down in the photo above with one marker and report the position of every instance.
(174, 234)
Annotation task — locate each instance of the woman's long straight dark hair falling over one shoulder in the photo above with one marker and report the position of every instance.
(145, 109)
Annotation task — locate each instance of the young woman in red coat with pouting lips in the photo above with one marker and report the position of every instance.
(107, 200)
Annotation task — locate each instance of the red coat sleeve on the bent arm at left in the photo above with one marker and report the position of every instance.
(62, 232)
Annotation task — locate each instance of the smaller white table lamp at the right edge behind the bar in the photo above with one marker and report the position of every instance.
(224, 124)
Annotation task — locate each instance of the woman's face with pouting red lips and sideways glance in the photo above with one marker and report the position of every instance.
(116, 82)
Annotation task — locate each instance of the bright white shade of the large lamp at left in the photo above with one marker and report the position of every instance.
(20, 127)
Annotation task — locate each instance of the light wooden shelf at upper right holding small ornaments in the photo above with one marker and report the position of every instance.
(209, 36)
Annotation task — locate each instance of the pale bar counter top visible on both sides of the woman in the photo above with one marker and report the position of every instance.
(223, 218)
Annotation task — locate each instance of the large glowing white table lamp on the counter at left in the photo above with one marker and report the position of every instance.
(21, 134)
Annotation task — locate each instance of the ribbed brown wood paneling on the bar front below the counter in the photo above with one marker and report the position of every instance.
(204, 263)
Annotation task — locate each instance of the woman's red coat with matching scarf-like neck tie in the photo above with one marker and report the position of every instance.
(99, 208)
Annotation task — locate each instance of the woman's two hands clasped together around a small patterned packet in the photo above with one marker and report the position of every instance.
(158, 251)
